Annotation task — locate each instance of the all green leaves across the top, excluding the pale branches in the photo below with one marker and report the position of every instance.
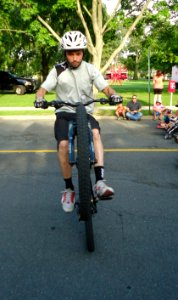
(39, 50)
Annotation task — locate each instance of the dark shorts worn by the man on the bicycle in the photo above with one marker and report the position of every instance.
(62, 121)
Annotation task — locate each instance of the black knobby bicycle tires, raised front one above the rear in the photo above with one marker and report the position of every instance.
(84, 181)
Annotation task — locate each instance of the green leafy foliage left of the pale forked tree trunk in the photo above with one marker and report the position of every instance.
(24, 35)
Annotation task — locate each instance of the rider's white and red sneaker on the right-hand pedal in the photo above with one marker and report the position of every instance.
(101, 190)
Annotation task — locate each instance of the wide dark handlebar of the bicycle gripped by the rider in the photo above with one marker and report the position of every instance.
(59, 103)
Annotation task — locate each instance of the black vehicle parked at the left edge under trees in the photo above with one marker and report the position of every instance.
(19, 85)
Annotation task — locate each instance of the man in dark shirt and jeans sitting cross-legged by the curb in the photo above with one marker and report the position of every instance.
(134, 109)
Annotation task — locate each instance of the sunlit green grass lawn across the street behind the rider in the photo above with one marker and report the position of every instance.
(127, 89)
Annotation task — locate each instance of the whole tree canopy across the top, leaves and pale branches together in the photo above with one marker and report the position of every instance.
(31, 30)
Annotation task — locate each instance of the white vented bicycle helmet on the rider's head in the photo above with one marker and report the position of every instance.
(73, 40)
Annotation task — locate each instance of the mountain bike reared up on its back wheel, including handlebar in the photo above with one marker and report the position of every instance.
(84, 159)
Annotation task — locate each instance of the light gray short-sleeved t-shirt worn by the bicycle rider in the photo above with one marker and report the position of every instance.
(74, 85)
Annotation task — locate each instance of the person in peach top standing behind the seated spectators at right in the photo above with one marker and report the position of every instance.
(158, 86)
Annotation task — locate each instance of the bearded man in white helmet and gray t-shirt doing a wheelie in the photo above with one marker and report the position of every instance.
(73, 81)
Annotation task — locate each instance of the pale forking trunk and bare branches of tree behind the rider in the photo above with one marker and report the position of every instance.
(95, 47)
